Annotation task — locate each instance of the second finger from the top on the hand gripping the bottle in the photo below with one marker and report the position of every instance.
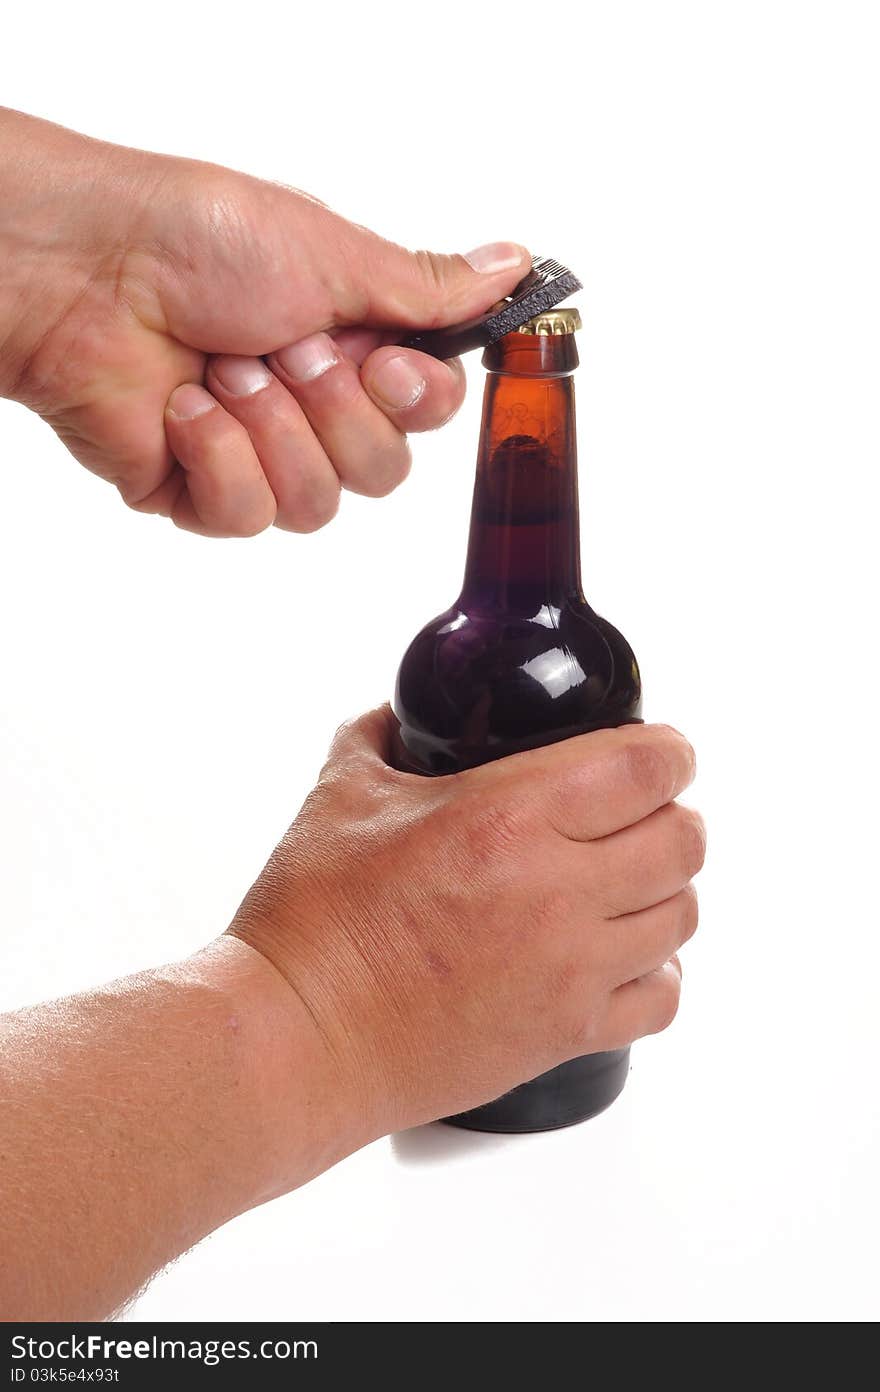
(650, 862)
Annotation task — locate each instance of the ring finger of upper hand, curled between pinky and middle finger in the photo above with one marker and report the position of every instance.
(304, 482)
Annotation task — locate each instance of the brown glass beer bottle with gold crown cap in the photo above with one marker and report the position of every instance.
(521, 659)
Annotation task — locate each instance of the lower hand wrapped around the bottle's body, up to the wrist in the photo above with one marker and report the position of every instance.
(453, 938)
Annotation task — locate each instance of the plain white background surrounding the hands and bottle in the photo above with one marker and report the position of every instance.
(711, 172)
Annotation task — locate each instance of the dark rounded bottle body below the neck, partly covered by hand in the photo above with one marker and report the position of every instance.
(473, 690)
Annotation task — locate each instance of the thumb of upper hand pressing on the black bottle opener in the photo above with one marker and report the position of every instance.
(427, 290)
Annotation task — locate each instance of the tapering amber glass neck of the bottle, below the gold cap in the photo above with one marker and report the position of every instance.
(524, 552)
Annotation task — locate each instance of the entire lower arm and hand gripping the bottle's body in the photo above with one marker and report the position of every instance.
(414, 949)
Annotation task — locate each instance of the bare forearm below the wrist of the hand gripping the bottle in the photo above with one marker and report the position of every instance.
(137, 1118)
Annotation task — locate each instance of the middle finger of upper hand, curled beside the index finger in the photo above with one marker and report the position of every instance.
(368, 452)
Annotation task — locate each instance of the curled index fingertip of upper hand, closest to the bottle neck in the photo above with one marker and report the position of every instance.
(414, 390)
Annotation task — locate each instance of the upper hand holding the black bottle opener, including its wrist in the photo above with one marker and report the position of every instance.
(147, 292)
